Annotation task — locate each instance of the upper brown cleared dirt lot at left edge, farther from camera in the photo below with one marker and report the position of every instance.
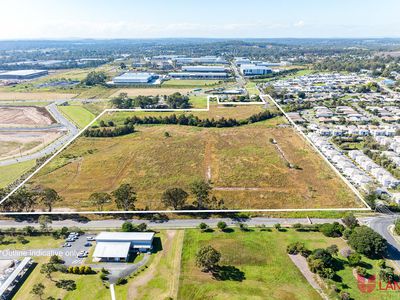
(25, 116)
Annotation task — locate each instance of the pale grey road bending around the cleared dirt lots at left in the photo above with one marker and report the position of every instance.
(71, 131)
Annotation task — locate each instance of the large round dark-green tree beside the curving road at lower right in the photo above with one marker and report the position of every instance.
(368, 242)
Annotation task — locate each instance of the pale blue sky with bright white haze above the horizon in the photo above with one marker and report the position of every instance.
(105, 19)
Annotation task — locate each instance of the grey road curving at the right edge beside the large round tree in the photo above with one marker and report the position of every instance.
(380, 224)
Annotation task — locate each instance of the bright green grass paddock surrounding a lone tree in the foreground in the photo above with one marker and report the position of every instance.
(261, 255)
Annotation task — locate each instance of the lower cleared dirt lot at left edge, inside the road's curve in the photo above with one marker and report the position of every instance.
(13, 144)
